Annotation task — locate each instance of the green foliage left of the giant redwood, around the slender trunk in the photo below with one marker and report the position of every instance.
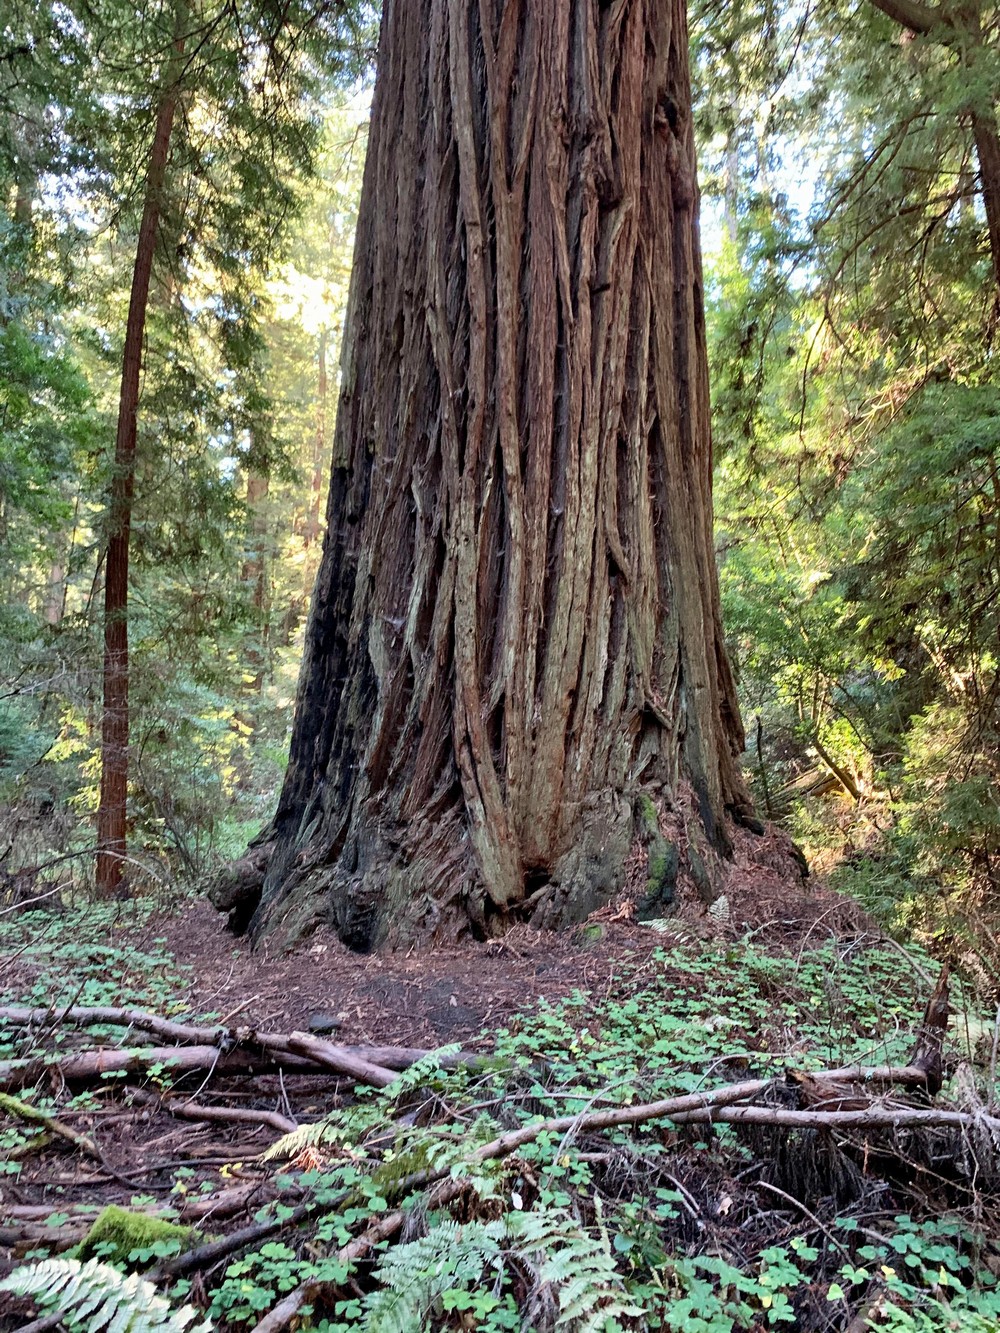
(250, 279)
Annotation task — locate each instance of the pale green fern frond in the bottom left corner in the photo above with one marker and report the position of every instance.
(97, 1298)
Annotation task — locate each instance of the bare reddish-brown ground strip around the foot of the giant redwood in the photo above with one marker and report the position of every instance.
(431, 998)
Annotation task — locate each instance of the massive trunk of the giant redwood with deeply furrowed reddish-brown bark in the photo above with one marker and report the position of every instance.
(517, 621)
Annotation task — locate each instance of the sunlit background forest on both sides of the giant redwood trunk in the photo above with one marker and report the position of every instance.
(854, 305)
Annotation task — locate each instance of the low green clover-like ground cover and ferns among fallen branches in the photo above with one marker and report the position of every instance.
(597, 1234)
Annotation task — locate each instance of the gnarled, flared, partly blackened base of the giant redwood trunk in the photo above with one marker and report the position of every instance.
(650, 854)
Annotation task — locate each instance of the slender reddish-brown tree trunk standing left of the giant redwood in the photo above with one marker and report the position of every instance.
(115, 720)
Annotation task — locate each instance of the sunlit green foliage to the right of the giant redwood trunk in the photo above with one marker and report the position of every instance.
(851, 302)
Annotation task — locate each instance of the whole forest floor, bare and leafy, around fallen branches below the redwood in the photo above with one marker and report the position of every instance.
(697, 1228)
